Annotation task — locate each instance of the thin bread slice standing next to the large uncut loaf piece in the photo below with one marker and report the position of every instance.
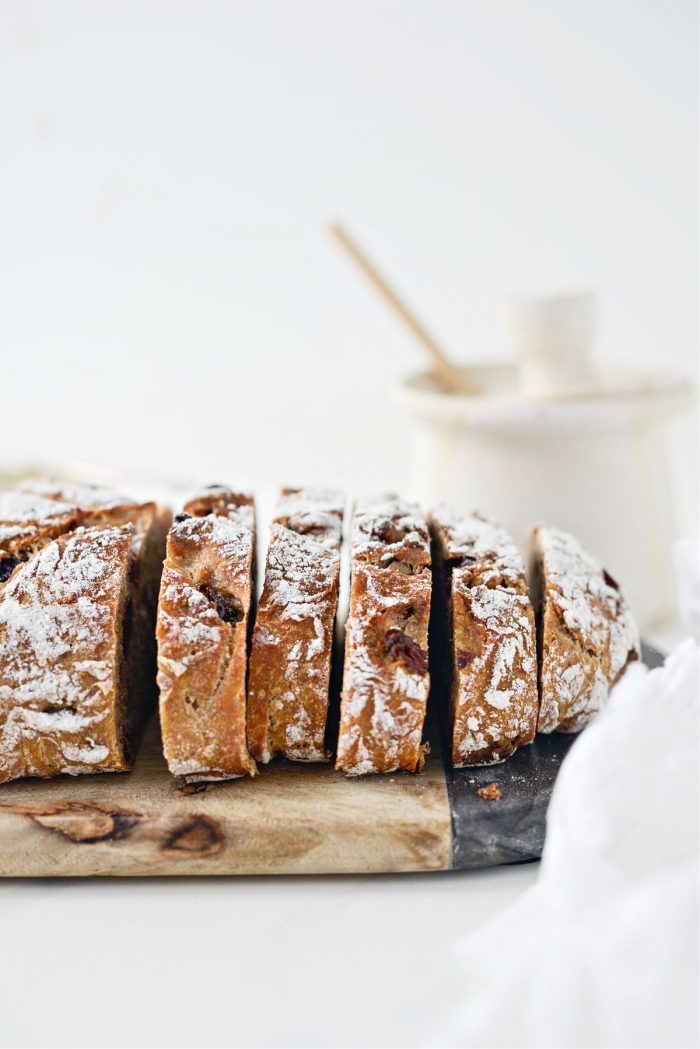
(204, 622)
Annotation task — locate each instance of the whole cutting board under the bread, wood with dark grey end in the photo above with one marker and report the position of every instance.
(290, 820)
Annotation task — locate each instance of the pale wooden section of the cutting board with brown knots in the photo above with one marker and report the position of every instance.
(290, 820)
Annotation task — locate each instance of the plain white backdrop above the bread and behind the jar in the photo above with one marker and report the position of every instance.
(171, 299)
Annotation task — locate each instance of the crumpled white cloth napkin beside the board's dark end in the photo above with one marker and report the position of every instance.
(603, 951)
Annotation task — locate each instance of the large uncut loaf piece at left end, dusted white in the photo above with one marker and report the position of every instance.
(79, 576)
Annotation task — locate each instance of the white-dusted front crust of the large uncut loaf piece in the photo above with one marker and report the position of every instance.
(58, 650)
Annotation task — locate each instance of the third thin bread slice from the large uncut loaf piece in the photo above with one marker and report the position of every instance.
(386, 676)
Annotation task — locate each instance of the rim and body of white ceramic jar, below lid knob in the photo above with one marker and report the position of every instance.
(595, 464)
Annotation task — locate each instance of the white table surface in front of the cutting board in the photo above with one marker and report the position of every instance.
(327, 961)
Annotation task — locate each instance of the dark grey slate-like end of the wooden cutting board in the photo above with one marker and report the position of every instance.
(511, 830)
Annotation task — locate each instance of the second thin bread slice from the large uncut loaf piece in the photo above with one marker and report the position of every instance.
(290, 667)
